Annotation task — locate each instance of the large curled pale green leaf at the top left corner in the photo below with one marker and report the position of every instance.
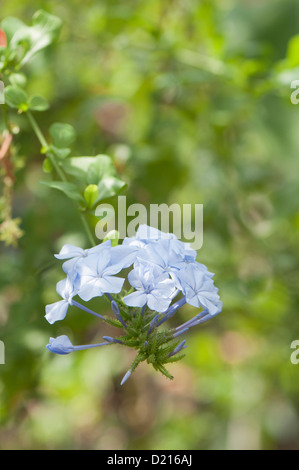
(43, 32)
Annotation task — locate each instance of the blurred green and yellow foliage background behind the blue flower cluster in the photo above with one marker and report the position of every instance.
(191, 98)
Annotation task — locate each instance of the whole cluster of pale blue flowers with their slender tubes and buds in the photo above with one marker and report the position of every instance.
(164, 276)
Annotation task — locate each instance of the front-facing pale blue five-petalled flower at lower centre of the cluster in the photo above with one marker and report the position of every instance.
(153, 288)
